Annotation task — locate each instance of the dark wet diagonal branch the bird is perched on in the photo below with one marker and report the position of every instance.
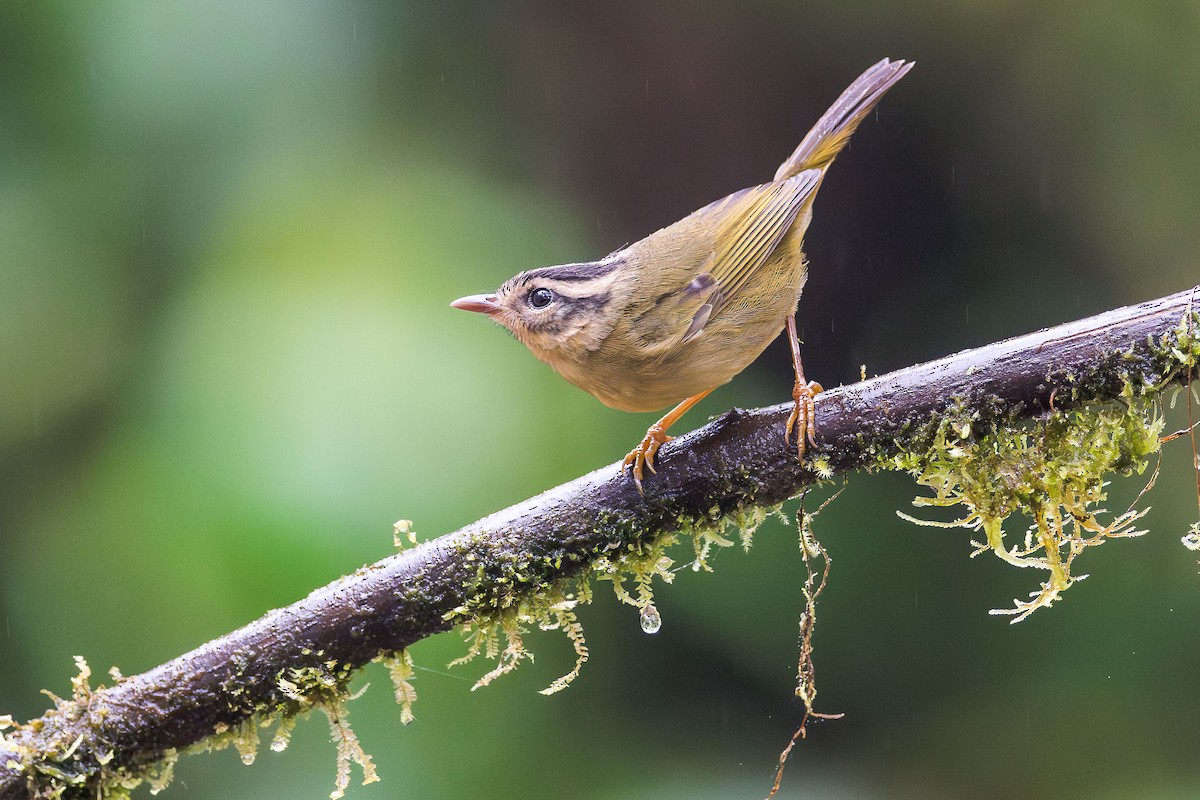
(301, 658)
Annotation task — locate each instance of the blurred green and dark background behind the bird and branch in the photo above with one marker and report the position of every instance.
(229, 236)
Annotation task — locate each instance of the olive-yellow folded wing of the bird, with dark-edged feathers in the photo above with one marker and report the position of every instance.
(753, 233)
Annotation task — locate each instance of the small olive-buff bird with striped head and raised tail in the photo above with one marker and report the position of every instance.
(673, 317)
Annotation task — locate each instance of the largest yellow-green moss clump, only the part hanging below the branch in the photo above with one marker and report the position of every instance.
(1054, 473)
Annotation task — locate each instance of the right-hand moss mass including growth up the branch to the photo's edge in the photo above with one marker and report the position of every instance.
(1053, 472)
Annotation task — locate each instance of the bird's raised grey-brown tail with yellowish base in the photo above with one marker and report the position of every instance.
(833, 130)
